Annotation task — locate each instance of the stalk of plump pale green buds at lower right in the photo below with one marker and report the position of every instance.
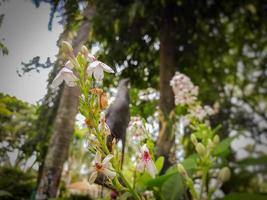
(205, 143)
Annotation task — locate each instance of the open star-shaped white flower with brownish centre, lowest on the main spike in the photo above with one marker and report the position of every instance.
(101, 167)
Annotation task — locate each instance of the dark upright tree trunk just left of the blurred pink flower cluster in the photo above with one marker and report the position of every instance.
(167, 70)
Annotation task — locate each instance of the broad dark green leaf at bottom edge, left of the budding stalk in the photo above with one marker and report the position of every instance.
(173, 188)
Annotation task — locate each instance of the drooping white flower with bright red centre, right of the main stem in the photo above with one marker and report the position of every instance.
(146, 163)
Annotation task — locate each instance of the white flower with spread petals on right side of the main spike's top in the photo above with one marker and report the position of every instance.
(97, 69)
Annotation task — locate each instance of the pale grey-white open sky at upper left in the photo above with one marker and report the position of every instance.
(26, 35)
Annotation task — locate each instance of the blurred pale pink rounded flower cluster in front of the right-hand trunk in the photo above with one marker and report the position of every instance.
(185, 93)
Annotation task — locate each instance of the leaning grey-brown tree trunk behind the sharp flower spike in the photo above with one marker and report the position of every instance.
(63, 126)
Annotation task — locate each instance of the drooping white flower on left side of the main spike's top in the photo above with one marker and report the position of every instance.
(65, 74)
